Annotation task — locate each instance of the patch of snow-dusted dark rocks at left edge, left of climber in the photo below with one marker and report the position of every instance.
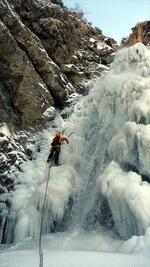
(14, 149)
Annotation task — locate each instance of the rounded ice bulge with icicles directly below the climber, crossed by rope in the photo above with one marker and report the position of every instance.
(28, 202)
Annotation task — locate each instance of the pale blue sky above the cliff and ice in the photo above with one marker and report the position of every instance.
(114, 17)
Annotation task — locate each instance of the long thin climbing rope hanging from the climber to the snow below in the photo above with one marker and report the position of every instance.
(42, 216)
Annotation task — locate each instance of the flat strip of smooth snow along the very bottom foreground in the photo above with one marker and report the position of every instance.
(23, 258)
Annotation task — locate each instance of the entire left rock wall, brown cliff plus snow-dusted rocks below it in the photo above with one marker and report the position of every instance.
(46, 55)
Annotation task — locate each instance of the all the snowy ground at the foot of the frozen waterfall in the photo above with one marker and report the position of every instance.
(75, 248)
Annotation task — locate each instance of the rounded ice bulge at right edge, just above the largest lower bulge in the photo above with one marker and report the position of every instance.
(132, 146)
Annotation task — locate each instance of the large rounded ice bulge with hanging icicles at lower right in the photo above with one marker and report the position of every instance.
(129, 199)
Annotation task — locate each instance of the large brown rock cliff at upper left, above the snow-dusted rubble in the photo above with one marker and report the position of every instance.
(46, 53)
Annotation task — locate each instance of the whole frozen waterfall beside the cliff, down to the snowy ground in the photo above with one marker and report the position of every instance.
(100, 180)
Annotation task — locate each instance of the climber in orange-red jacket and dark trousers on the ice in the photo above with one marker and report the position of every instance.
(56, 147)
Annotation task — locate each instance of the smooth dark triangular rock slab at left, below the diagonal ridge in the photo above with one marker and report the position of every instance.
(29, 95)
